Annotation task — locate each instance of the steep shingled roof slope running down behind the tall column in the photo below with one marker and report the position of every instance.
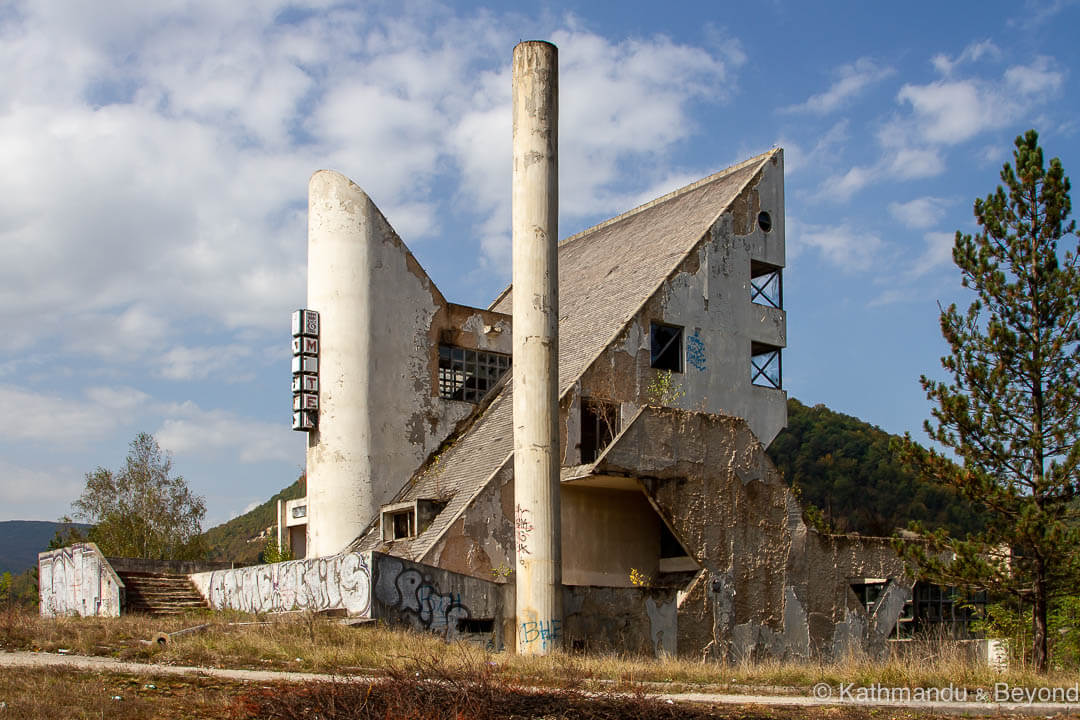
(605, 276)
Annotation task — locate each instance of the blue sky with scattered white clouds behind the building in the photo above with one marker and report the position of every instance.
(156, 156)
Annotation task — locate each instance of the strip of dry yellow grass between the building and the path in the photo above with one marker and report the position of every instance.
(315, 644)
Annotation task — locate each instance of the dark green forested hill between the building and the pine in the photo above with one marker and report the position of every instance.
(844, 467)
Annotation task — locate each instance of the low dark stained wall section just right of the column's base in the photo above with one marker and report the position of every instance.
(638, 620)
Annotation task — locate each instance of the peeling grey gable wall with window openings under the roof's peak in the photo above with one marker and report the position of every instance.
(709, 296)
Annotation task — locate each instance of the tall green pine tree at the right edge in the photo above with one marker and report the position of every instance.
(1011, 412)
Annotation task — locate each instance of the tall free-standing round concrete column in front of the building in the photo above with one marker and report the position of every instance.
(539, 576)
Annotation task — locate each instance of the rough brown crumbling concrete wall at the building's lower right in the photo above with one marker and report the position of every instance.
(771, 586)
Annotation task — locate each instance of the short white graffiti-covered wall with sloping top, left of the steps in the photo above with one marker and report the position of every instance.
(78, 581)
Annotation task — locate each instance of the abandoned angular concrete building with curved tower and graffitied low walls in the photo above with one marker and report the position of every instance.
(677, 534)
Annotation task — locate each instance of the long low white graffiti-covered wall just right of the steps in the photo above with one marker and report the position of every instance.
(329, 583)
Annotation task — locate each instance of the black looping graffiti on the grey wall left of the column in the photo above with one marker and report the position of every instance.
(418, 599)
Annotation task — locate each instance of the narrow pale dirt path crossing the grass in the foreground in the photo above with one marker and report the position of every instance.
(833, 700)
